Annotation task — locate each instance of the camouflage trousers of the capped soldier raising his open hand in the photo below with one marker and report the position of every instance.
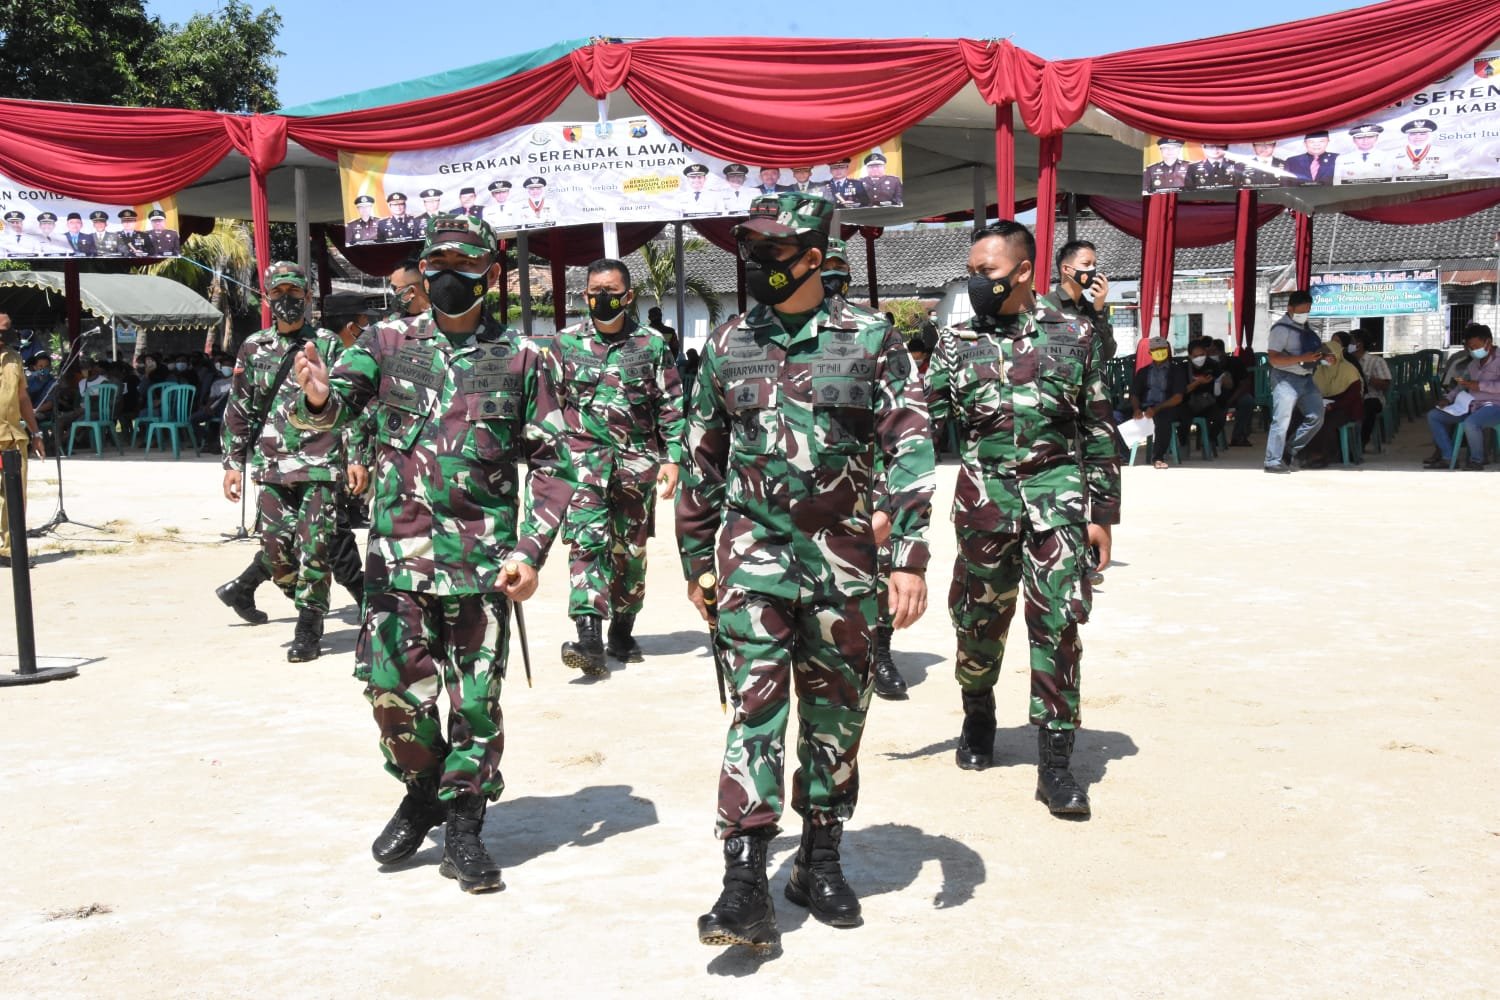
(412, 648)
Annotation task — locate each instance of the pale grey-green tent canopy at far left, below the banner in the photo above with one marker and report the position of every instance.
(145, 302)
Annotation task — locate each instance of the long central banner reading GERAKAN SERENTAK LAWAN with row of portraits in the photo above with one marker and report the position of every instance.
(586, 173)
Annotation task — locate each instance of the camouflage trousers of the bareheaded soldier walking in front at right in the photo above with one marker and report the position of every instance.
(1048, 570)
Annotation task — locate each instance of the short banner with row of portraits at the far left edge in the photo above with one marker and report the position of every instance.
(41, 224)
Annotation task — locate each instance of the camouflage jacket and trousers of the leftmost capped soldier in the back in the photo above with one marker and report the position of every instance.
(298, 470)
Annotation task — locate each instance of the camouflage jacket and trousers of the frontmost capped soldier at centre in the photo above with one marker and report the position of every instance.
(784, 436)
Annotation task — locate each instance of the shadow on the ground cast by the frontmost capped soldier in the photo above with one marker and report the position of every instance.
(877, 860)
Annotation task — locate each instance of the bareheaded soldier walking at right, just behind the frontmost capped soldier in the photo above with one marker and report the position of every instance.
(1040, 485)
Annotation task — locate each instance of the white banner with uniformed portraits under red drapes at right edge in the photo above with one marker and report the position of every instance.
(1447, 131)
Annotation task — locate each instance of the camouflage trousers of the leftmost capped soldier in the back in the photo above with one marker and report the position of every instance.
(298, 525)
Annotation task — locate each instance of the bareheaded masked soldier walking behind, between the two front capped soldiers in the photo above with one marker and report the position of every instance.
(622, 380)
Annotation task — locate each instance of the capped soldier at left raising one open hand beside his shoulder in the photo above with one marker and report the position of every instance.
(460, 403)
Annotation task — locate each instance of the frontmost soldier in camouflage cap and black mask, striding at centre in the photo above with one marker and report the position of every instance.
(796, 407)
